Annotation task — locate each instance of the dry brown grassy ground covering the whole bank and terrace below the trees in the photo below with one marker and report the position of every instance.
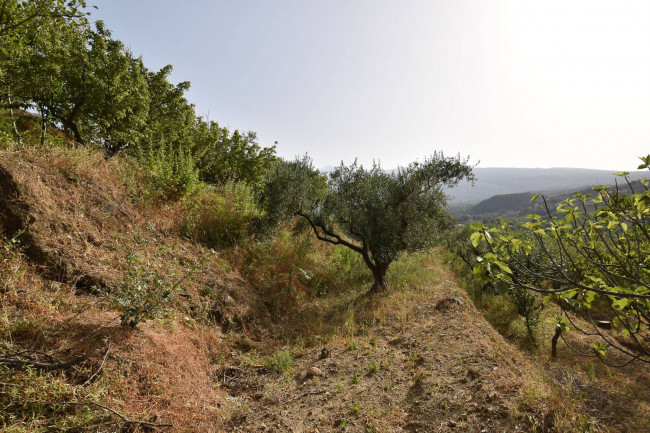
(238, 347)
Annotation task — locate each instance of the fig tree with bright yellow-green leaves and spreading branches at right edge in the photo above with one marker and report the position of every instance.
(594, 256)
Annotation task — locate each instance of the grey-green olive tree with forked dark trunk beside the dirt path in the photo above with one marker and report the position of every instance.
(375, 213)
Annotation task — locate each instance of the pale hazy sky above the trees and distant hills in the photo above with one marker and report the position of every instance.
(510, 83)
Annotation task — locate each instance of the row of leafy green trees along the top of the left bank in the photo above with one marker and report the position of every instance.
(80, 79)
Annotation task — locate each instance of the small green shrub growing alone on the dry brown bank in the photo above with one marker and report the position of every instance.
(143, 293)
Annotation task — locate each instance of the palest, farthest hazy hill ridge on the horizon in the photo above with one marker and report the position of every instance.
(499, 181)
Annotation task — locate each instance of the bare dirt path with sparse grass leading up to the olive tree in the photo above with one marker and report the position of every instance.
(446, 370)
